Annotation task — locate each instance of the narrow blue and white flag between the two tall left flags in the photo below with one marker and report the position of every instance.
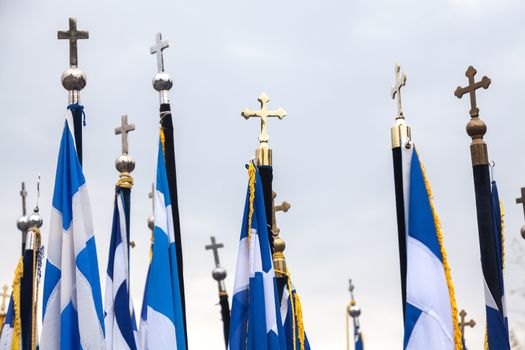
(119, 319)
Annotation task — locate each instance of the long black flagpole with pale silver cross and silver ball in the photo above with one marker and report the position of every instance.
(162, 83)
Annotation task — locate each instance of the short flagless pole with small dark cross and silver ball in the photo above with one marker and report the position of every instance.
(219, 274)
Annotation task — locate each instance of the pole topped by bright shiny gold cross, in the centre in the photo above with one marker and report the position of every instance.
(263, 154)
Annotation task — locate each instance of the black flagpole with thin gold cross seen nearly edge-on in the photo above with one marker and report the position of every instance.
(400, 133)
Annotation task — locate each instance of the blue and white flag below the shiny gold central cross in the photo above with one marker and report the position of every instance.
(255, 318)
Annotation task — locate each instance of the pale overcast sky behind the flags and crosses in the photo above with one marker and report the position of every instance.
(330, 65)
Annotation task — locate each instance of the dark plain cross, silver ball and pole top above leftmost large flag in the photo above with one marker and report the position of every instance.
(74, 80)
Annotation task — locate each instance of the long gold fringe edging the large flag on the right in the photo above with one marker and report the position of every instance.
(446, 267)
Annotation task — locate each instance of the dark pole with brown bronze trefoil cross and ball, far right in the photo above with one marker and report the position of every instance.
(491, 264)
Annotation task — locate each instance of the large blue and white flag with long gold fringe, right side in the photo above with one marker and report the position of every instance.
(431, 313)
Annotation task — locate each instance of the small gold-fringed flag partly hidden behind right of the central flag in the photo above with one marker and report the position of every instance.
(291, 313)
